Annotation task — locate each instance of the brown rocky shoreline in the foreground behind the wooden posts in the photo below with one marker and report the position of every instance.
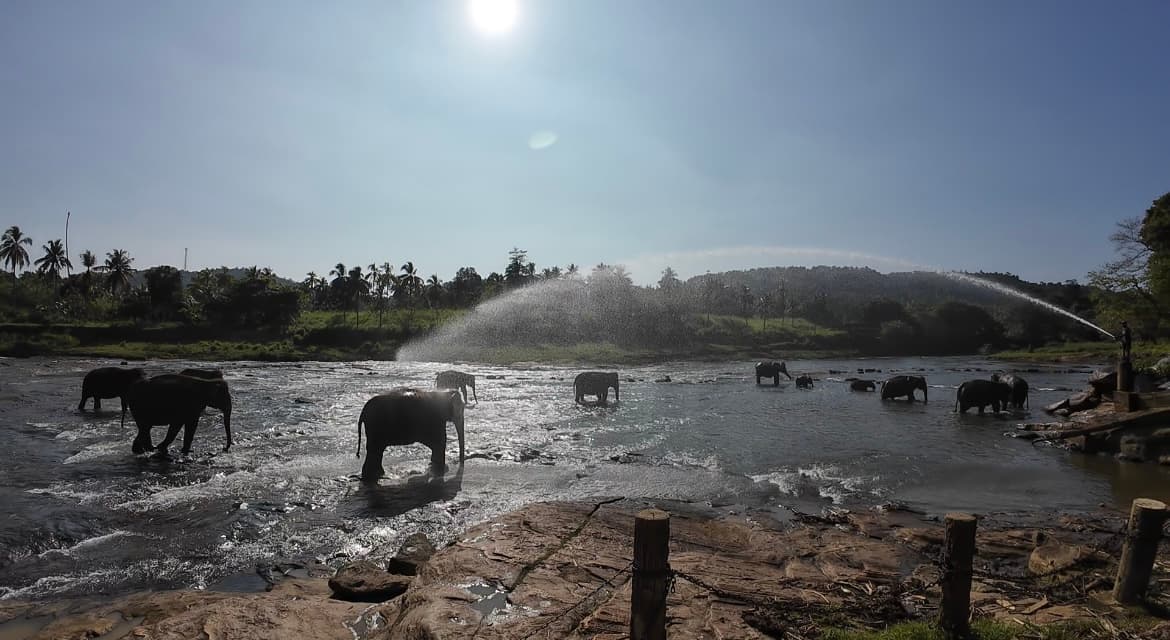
(562, 570)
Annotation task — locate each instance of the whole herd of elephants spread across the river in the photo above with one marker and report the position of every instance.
(409, 416)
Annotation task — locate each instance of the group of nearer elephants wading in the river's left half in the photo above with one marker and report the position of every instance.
(403, 416)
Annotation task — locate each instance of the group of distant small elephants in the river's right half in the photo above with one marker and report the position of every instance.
(1001, 393)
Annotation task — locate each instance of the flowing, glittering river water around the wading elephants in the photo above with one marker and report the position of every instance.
(84, 515)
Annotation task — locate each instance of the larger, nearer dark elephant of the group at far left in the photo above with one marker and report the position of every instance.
(178, 402)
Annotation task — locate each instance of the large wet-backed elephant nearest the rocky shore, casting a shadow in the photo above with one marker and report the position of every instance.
(408, 416)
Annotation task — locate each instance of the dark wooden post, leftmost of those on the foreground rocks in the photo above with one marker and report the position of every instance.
(652, 575)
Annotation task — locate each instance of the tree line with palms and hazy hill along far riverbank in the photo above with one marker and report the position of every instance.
(848, 308)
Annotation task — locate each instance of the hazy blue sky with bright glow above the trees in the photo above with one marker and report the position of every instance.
(997, 136)
